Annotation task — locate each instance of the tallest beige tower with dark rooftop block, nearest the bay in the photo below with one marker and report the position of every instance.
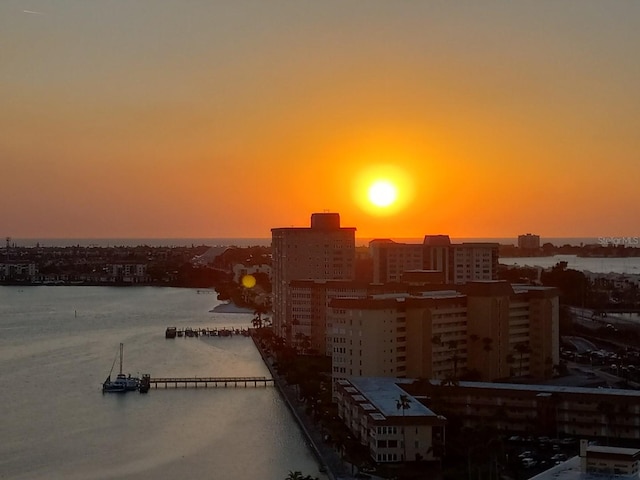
(324, 251)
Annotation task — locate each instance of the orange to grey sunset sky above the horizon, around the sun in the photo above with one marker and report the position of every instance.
(191, 118)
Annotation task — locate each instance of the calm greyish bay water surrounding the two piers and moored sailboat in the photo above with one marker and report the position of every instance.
(57, 345)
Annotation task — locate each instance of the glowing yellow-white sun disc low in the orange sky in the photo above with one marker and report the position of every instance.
(383, 189)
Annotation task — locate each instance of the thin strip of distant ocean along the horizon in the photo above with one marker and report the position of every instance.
(247, 242)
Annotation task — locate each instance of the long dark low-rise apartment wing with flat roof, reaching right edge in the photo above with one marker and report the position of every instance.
(538, 409)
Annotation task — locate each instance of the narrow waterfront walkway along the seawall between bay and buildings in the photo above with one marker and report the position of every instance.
(327, 456)
